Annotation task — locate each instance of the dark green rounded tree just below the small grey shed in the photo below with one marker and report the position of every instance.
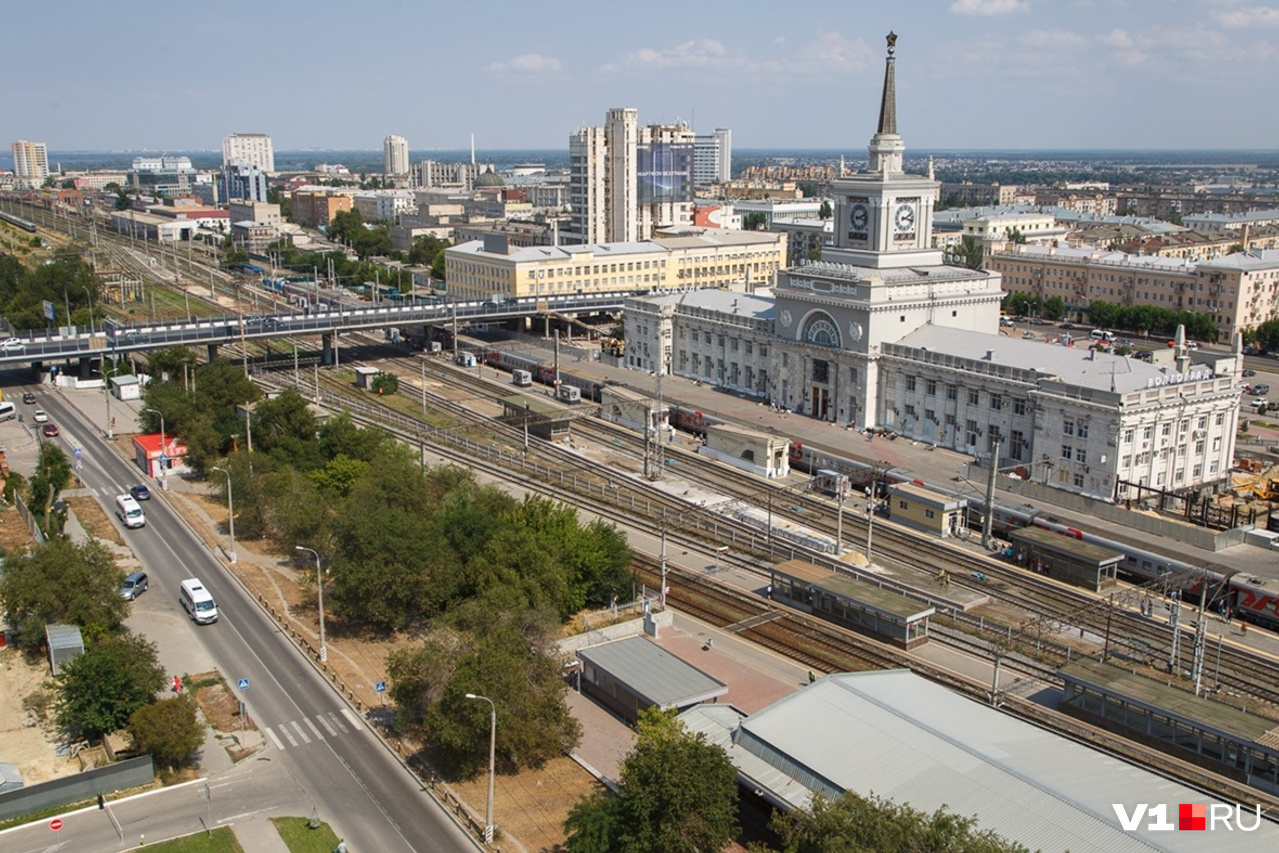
(99, 690)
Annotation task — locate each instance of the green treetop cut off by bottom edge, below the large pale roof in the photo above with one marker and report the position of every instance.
(855, 824)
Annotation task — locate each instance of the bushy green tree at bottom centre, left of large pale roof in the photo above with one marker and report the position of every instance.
(677, 795)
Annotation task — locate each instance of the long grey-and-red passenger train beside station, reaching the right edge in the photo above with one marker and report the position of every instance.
(1246, 595)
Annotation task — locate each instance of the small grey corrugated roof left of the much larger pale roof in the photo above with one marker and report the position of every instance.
(653, 673)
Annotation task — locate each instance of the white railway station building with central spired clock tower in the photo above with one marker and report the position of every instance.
(883, 334)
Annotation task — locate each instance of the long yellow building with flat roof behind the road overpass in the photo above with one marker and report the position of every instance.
(493, 268)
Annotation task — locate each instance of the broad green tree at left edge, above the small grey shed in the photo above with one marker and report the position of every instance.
(63, 584)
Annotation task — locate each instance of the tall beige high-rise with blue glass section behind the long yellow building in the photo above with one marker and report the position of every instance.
(627, 181)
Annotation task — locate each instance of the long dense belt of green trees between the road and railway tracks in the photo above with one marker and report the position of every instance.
(484, 579)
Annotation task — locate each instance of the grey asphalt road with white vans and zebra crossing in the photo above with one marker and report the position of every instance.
(328, 753)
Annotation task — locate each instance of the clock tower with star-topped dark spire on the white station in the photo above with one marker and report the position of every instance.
(883, 215)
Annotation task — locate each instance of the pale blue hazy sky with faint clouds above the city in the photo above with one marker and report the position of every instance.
(971, 75)
